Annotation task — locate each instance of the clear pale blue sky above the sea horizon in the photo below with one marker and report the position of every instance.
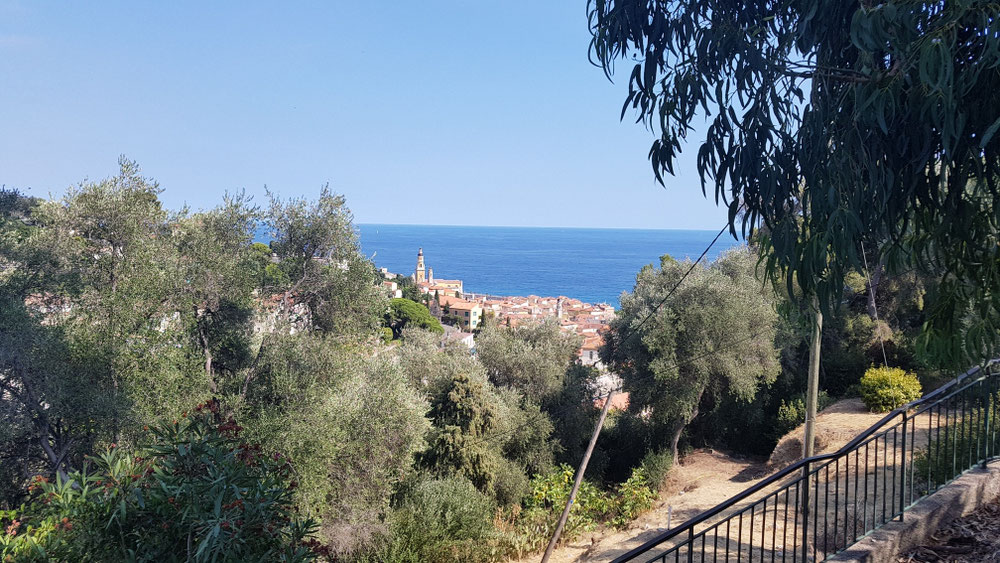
(460, 112)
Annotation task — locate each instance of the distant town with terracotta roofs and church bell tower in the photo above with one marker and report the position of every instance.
(463, 313)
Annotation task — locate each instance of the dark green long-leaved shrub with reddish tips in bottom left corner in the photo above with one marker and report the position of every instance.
(196, 493)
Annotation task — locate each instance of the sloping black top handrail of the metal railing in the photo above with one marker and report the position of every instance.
(688, 526)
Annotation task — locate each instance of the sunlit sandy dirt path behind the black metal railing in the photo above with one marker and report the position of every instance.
(709, 477)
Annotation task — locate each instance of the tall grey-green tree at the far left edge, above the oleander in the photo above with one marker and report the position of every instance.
(88, 282)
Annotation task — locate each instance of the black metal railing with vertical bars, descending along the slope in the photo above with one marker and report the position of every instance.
(939, 405)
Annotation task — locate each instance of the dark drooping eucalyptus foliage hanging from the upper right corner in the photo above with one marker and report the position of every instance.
(833, 124)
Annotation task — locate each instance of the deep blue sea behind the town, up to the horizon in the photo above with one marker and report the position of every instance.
(593, 265)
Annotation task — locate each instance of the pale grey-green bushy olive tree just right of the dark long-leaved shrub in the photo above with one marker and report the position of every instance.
(351, 423)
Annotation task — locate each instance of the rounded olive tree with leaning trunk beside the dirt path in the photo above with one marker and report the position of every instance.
(714, 336)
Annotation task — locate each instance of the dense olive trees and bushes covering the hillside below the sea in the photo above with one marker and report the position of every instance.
(146, 353)
